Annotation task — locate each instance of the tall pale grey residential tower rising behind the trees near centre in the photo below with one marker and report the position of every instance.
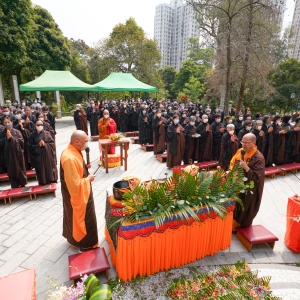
(174, 24)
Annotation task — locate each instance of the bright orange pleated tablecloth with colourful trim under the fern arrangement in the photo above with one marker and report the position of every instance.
(144, 250)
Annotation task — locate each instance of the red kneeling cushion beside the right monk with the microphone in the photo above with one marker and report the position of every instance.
(257, 234)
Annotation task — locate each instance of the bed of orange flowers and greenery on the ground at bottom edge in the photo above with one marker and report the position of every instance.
(230, 282)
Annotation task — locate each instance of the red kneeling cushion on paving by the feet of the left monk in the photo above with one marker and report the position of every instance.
(86, 263)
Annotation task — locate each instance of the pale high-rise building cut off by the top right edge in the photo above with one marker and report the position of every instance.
(294, 43)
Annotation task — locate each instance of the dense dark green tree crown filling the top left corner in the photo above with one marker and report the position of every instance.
(15, 35)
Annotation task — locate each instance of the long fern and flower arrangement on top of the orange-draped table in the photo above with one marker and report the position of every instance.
(184, 195)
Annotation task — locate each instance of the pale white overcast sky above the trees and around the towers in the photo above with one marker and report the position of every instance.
(92, 20)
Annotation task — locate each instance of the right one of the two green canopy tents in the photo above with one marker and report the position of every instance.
(122, 82)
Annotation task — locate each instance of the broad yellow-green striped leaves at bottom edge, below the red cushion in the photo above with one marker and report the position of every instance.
(94, 290)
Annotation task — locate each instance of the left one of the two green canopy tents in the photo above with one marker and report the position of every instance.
(56, 81)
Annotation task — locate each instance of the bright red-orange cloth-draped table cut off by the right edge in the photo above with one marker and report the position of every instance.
(292, 234)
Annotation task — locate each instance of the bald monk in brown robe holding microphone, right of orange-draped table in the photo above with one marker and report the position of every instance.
(253, 164)
